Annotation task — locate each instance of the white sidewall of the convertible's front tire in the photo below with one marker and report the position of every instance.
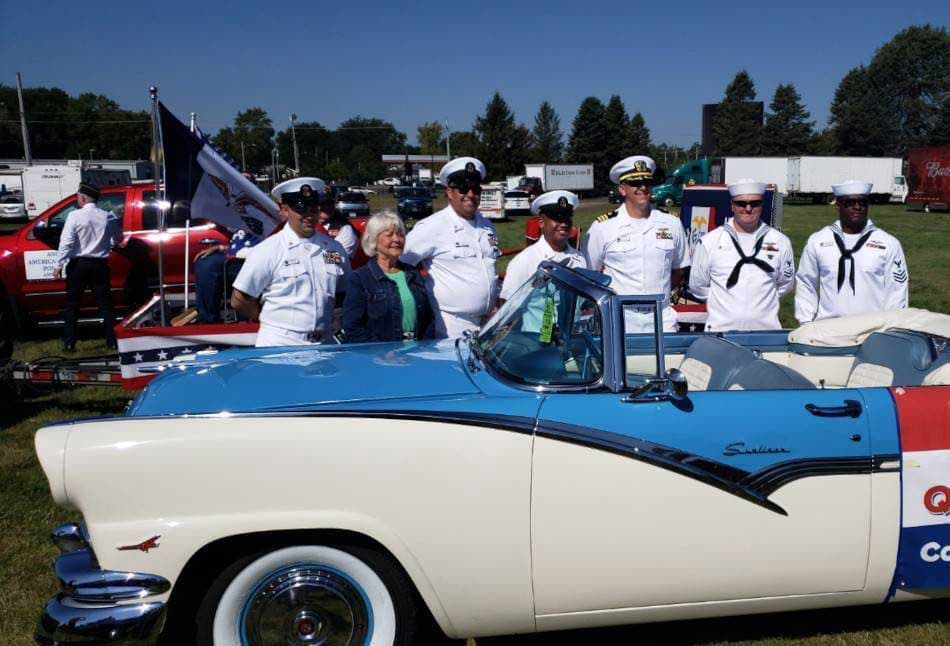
(228, 612)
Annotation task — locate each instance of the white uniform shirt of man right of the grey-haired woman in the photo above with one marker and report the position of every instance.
(459, 255)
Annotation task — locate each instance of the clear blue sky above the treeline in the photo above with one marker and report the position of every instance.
(415, 62)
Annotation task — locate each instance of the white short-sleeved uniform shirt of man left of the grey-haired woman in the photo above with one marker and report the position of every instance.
(296, 279)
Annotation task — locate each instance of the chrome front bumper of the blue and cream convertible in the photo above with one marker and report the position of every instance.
(96, 606)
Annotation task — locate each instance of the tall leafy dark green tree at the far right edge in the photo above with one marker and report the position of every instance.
(911, 77)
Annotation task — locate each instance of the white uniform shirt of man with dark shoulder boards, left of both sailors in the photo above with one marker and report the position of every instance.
(639, 255)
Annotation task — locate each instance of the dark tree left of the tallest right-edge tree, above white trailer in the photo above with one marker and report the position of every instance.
(859, 119)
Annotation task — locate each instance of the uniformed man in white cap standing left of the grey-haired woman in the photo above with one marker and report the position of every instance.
(290, 281)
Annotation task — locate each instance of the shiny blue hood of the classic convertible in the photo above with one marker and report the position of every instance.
(270, 379)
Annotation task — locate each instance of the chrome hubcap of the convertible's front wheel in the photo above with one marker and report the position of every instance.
(305, 605)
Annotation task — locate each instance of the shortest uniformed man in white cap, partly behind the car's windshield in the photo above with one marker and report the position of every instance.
(556, 209)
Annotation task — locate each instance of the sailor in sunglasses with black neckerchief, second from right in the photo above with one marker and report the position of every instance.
(743, 268)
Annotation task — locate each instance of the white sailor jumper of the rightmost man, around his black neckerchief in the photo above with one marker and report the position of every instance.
(880, 275)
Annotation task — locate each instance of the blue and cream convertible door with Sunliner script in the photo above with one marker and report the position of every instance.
(727, 495)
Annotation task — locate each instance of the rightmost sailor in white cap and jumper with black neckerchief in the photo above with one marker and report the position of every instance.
(851, 266)
